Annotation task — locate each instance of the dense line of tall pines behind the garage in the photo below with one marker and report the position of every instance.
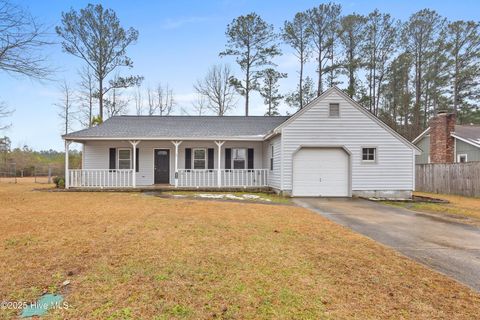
(401, 71)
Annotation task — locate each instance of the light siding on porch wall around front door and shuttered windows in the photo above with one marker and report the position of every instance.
(96, 155)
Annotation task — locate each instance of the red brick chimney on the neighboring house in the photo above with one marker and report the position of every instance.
(442, 144)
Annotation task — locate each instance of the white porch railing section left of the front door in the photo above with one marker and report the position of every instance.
(101, 178)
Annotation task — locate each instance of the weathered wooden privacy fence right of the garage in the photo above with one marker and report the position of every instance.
(449, 178)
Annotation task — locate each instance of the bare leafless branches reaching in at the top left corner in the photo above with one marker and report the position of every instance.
(21, 38)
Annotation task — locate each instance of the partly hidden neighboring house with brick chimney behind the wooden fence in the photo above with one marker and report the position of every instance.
(446, 142)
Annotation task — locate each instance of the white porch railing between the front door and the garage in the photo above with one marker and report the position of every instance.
(235, 178)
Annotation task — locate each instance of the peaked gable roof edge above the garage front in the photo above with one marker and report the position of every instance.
(356, 105)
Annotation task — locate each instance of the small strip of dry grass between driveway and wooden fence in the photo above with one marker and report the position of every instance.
(458, 208)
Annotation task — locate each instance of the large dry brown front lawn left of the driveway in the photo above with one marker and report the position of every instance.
(131, 256)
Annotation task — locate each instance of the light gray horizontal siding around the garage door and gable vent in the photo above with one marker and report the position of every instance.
(393, 169)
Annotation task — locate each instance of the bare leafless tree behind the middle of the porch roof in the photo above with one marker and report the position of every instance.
(216, 88)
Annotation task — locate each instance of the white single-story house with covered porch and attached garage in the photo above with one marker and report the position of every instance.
(332, 147)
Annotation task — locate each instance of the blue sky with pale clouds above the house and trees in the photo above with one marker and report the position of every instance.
(178, 42)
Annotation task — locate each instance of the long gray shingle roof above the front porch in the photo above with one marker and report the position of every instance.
(135, 127)
